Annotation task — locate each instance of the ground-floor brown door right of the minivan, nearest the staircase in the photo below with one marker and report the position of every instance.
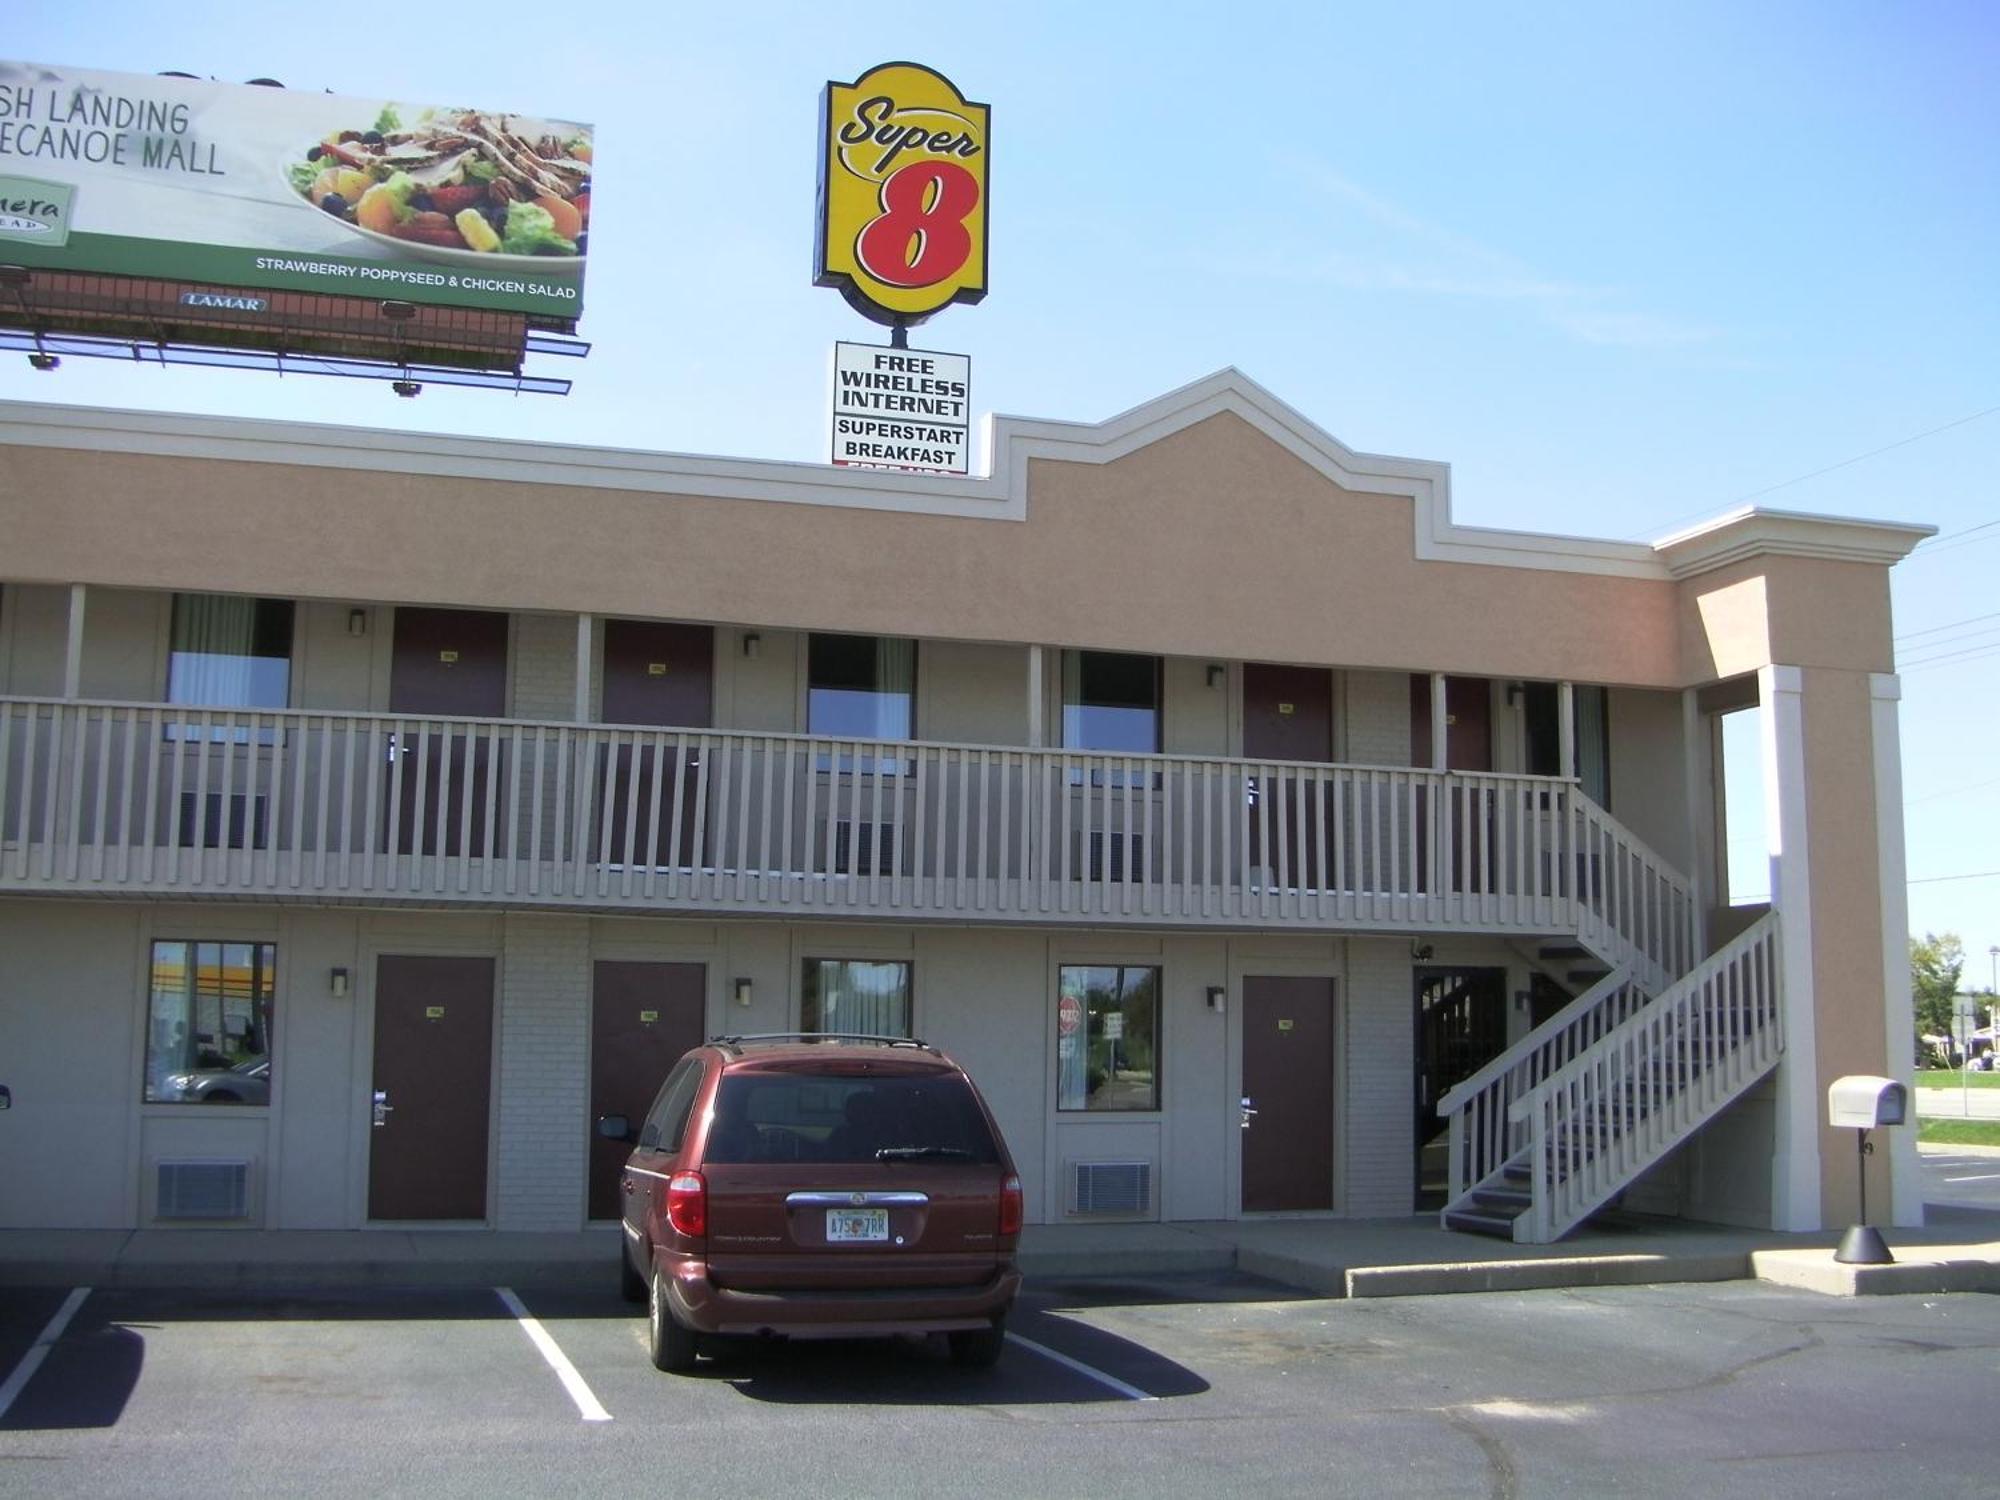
(1289, 1081)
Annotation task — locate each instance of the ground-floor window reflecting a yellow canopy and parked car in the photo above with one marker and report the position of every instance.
(209, 1023)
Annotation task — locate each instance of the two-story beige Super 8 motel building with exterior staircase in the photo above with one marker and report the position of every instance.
(379, 809)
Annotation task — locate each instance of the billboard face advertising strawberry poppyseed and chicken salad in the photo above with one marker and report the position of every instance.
(291, 191)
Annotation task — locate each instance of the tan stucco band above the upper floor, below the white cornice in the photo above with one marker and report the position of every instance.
(1209, 543)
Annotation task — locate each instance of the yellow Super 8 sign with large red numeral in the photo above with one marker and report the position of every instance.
(903, 193)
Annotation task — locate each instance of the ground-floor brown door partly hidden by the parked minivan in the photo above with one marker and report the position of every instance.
(643, 1017)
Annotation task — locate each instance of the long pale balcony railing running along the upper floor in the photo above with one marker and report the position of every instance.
(155, 799)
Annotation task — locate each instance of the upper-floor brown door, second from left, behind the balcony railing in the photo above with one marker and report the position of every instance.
(655, 673)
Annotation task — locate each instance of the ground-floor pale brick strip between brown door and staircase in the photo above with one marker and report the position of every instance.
(1381, 1065)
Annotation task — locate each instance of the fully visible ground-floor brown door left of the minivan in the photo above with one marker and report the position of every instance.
(433, 1069)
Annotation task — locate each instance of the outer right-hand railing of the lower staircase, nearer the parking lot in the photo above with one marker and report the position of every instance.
(1647, 1085)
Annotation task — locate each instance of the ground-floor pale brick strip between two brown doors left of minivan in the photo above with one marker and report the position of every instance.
(545, 1073)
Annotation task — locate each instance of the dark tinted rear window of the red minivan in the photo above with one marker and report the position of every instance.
(799, 1117)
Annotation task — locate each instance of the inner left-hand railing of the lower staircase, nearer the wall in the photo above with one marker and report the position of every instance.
(1477, 1111)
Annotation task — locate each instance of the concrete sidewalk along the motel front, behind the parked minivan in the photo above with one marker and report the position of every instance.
(1959, 1251)
